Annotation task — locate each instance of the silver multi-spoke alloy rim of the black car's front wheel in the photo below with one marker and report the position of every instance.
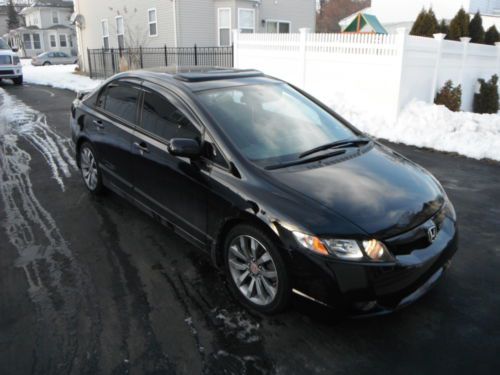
(253, 270)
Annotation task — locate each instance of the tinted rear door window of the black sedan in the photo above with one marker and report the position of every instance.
(121, 101)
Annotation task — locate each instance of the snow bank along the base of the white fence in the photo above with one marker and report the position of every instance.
(428, 125)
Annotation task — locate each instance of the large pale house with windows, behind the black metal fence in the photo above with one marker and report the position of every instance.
(183, 23)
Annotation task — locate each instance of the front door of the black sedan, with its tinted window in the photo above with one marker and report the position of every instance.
(174, 187)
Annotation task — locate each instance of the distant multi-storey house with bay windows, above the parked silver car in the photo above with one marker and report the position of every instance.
(48, 28)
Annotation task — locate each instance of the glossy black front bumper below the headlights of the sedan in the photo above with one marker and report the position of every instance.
(375, 288)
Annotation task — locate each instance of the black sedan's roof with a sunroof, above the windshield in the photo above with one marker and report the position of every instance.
(200, 78)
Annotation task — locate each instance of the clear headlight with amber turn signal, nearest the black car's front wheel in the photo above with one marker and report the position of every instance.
(345, 249)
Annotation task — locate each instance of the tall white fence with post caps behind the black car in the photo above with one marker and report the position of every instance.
(381, 73)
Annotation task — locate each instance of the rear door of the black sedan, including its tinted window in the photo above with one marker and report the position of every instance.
(113, 125)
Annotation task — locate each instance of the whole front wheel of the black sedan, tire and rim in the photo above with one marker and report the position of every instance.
(266, 286)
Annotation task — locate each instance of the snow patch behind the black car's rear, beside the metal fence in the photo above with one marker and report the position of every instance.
(58, 76)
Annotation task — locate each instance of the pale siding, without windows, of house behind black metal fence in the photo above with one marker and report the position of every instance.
(196, 21)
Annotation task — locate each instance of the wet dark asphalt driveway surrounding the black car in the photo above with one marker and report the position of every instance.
(92, 285)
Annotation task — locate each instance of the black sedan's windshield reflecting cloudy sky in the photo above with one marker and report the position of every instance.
(272, 123)
